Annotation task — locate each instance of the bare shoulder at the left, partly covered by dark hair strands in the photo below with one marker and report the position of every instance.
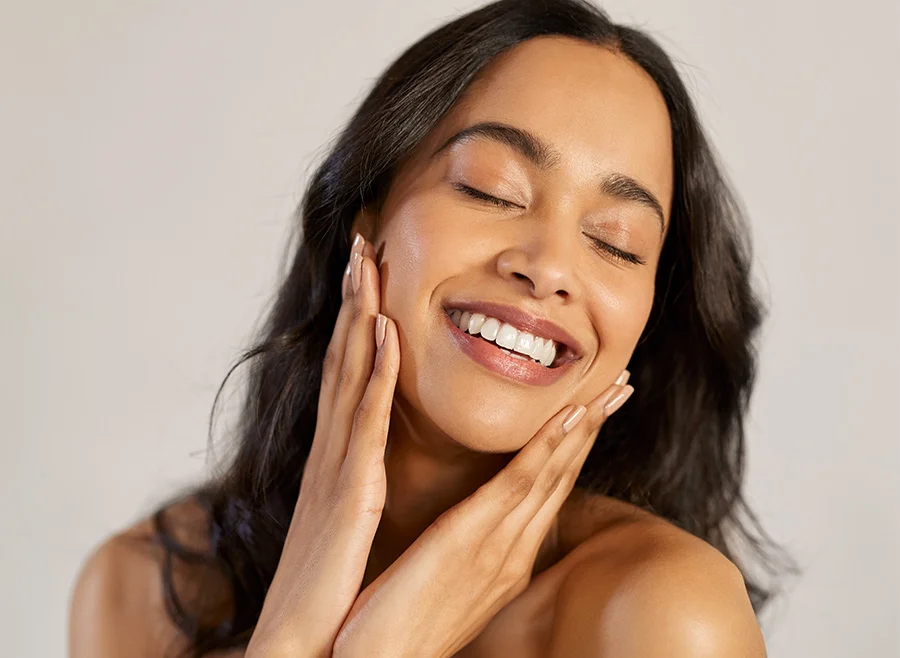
(117, 606)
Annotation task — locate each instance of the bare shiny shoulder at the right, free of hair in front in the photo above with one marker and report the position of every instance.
(644, 587)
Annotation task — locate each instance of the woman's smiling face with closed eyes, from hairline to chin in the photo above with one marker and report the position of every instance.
(576, 244)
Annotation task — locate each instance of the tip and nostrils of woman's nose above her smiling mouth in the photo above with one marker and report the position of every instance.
(543, 260)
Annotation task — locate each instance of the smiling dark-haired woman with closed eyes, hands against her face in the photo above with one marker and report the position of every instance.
(436, 456)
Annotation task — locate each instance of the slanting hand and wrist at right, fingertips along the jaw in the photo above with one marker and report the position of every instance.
(479, 555)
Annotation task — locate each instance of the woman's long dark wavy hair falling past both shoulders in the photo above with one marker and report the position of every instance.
(677, 449)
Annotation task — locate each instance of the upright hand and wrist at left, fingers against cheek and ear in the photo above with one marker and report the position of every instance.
(343, 489)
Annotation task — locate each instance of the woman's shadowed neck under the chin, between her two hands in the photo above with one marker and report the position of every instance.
(427, 474)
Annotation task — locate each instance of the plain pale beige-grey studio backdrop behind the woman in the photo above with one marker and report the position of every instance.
(151, 155)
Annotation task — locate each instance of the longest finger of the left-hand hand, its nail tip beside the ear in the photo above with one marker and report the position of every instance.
(359, 357)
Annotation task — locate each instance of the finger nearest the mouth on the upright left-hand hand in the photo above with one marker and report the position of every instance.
(368, 435)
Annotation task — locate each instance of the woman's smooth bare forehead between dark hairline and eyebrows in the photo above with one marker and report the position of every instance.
(599, 110)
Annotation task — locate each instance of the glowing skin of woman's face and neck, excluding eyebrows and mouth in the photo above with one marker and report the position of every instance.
(454, 423)
